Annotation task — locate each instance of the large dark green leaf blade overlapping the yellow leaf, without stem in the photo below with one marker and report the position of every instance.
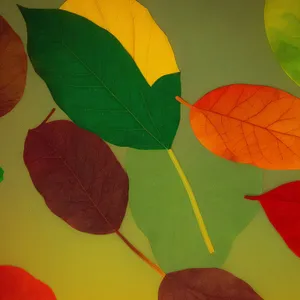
(97, 84)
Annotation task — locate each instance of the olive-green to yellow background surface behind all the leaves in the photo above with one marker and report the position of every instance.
(215, 43)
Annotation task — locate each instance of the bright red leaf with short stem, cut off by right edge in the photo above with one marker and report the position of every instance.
(282, 207)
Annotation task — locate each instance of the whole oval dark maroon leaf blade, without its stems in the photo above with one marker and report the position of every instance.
(78, 175)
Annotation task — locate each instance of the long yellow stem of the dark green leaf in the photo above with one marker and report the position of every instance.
(193, 202)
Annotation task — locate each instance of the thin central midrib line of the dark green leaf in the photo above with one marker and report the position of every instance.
(110, 92)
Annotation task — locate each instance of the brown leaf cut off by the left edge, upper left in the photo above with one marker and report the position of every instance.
(13, 68)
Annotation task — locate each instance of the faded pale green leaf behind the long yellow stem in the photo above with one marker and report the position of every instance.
(160, 208)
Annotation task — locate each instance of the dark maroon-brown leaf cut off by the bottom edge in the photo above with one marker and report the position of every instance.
(205, 284)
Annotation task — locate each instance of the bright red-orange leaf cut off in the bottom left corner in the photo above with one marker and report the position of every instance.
(16, 283)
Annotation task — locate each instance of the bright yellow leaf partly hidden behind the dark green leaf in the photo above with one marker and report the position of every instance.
(132, 24)
